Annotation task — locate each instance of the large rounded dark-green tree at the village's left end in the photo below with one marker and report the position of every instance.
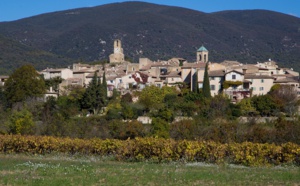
(24, 83)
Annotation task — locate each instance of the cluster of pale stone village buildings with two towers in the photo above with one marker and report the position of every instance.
(231, 78)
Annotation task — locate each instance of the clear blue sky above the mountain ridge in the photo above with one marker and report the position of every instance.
(17, 9)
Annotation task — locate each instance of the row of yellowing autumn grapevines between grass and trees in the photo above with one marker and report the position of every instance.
(157, 150)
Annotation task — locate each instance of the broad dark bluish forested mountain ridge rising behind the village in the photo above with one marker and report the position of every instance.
(160, 32)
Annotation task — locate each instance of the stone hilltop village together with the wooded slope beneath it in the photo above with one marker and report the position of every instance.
(226, 102)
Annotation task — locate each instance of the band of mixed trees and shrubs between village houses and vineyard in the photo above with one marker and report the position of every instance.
(176, 112)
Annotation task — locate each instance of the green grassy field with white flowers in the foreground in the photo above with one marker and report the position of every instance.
(92, 170)
